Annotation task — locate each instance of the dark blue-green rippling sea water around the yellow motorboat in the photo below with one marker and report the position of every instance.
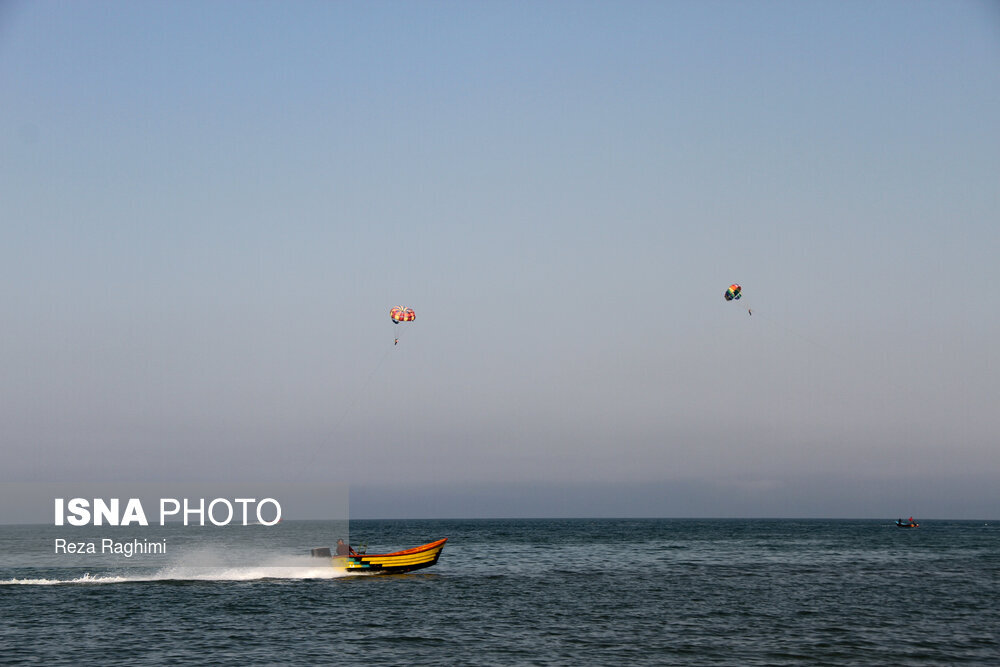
(546, 592)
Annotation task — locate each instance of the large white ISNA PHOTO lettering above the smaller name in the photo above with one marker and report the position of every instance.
(218, 512)
